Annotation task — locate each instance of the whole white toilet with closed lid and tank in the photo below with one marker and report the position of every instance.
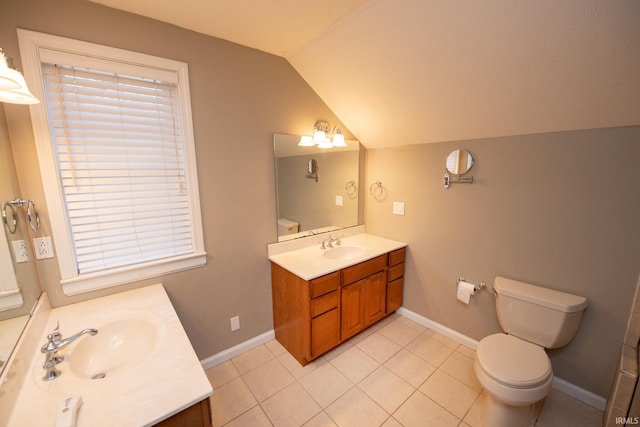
(513, 367)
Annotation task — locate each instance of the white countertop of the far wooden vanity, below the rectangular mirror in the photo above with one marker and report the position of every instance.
(309, 262)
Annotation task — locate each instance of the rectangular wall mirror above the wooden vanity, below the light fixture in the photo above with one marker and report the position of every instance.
(317, 189)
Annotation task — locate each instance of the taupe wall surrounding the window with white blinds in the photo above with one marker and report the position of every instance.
(239, 97)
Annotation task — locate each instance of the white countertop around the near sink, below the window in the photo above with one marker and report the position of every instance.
(168, 379)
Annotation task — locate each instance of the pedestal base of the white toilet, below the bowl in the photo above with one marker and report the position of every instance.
(498, 414)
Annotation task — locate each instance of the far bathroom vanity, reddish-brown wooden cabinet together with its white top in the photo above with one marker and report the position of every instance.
(322, 297)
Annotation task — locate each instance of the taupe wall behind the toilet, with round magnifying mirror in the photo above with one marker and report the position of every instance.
(559, 210)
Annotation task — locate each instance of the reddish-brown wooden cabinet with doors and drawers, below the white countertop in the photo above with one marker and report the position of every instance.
(312, 317)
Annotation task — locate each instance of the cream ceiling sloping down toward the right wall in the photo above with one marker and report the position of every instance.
(402, 72)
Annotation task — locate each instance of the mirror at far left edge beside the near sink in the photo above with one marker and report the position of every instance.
(19, 286)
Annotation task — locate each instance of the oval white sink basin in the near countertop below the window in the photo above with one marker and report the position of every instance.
(118, 346)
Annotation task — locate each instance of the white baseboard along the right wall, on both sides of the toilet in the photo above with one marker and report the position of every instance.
(559, 384)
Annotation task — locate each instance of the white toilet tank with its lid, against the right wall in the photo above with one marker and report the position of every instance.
(539, 315)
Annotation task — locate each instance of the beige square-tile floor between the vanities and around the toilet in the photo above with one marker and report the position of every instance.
(396, 373)
